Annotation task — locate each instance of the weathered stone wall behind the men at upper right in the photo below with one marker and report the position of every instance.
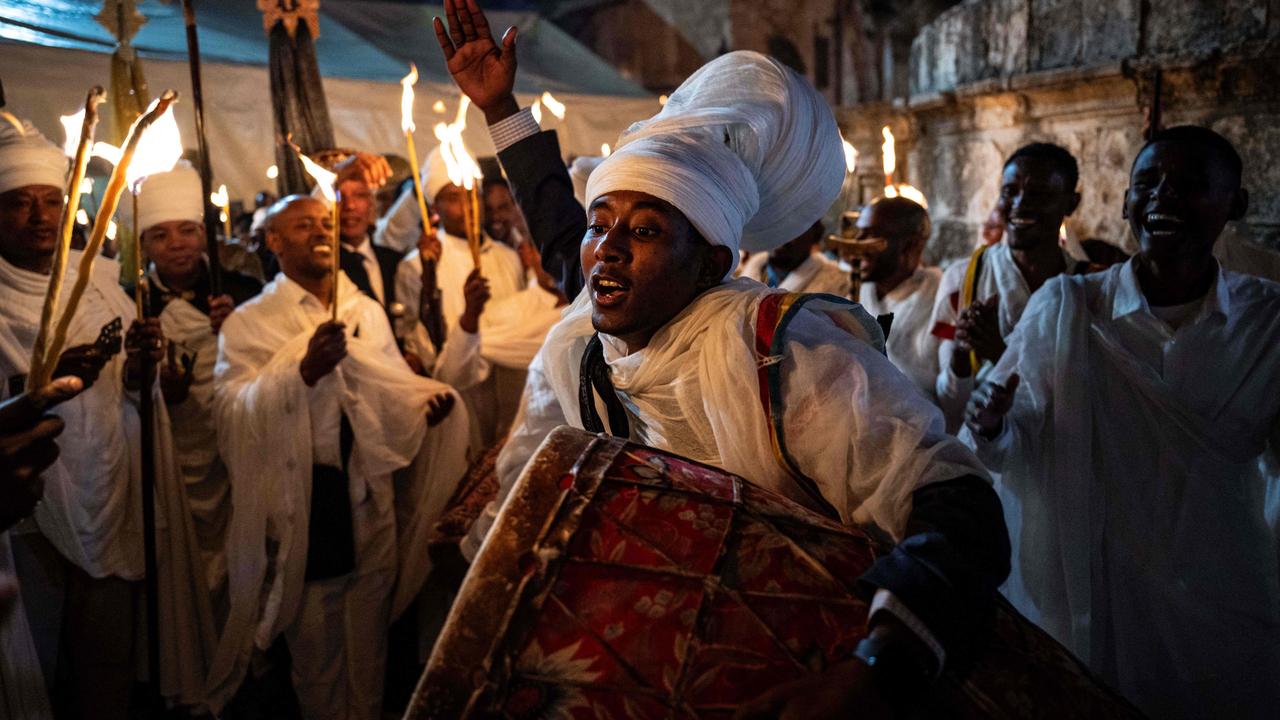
(989, 76)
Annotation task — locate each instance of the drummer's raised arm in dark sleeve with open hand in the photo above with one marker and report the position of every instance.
(486, 71)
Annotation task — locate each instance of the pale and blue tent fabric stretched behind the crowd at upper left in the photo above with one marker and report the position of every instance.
(53, 52)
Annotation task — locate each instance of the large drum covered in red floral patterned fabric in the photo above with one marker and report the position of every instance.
(624, 582)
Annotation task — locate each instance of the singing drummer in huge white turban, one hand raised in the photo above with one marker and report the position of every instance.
(661, 348)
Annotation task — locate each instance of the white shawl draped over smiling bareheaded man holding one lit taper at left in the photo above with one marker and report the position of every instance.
(262, 405)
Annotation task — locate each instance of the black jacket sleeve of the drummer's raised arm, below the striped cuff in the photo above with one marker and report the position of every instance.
(541, 184)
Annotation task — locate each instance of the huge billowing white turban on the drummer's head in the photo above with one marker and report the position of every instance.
(760, 161)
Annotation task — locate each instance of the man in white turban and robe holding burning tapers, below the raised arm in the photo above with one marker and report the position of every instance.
(493, 321)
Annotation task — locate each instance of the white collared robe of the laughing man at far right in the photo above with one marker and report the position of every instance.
(1131, 485)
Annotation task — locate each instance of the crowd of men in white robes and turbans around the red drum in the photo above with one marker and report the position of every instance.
(1096, 439)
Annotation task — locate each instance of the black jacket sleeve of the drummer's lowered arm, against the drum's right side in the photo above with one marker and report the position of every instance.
(952, 560)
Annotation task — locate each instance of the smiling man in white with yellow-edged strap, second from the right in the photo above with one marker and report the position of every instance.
(1037, 192)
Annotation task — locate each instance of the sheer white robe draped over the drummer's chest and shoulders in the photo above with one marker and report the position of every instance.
(684, 393)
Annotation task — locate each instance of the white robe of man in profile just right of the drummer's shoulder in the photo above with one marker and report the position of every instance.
(911, 347)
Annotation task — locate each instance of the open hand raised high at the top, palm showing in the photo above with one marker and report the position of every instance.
(484, 71)
